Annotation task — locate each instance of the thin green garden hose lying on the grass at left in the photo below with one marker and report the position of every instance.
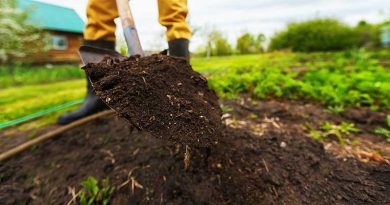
(40, 113)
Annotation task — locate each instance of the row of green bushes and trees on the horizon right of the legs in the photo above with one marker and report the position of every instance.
(322, 34)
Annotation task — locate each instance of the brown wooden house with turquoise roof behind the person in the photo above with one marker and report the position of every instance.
(64, 26)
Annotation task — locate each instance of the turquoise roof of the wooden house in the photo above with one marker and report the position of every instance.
(52, 17)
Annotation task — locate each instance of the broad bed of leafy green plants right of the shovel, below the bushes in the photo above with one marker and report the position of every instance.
(338, 80)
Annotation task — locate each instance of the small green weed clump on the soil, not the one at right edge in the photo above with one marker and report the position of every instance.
(328, 129)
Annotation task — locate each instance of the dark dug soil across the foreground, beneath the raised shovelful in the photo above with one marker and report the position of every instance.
(243, 168)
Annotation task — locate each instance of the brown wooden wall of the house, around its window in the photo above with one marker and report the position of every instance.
(68, 55)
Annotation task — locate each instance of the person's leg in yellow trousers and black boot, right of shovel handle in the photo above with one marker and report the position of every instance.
(172, 15)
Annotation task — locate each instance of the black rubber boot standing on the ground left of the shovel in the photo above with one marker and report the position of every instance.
(92, 104)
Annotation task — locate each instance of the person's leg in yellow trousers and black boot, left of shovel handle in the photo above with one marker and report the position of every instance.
(99, 32)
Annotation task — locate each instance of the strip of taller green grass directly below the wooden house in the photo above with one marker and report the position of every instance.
(18, 75)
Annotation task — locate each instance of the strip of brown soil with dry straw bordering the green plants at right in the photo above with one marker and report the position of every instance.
(300, 117)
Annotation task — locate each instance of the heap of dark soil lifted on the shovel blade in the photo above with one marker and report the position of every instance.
(160, 94)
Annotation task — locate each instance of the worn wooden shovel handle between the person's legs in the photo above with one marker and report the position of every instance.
(129, 30)
